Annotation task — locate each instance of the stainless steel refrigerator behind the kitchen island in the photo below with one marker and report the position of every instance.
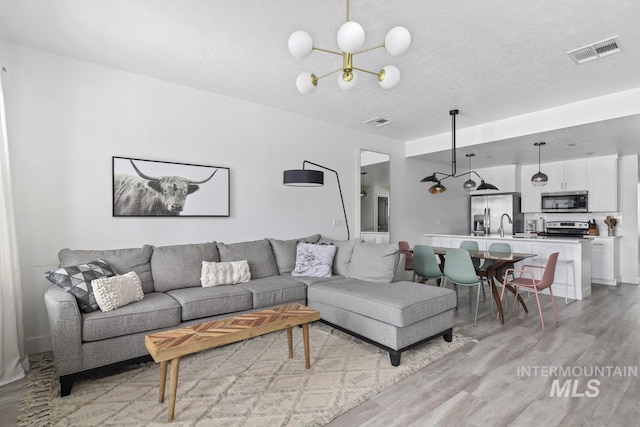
(486, 211)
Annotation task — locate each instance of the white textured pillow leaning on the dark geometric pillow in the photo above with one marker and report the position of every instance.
(117, 291)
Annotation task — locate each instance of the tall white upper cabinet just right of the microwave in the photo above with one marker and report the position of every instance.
(602, 184)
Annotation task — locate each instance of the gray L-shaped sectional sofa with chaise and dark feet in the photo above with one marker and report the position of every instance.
(365, 297)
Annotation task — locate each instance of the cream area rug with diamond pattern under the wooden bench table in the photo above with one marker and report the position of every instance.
(250, 383)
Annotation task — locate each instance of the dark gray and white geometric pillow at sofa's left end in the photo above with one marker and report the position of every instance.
(76, 280)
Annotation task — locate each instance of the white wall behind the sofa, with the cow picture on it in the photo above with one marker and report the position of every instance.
(67, 118)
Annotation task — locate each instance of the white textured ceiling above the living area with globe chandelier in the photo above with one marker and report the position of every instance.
(492, 59)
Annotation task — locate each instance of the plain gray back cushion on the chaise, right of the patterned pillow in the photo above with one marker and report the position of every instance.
(373, 262)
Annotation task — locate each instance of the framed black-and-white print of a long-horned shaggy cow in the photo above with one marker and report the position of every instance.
(154, 188)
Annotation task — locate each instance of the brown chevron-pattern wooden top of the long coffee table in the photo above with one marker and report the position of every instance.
(175, 343)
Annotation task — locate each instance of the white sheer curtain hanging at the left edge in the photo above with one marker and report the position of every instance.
(13, 358)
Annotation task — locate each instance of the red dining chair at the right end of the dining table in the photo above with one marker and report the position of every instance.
(526, 280)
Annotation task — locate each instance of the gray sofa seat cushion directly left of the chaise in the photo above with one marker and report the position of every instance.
(275, 290)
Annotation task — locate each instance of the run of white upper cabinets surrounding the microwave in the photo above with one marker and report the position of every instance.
(599, 176)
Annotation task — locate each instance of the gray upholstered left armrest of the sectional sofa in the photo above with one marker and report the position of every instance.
(65, 324)
